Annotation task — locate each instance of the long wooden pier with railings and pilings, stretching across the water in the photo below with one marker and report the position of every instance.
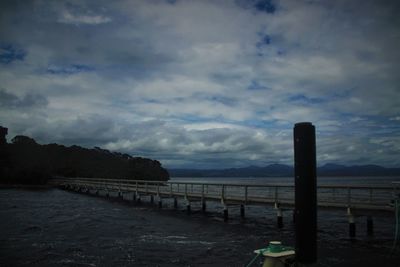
(361, 198)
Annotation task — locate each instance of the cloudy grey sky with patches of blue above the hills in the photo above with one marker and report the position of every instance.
(205, 84)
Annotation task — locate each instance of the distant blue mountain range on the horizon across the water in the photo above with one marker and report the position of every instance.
(280, 170)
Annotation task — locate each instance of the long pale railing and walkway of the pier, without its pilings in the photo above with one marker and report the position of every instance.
(329, 196)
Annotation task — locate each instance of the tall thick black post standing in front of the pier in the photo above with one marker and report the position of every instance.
(305, 171)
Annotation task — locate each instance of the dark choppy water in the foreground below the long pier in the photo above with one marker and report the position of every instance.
(58, 228)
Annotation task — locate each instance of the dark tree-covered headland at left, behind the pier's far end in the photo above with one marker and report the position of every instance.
(25, 161)
